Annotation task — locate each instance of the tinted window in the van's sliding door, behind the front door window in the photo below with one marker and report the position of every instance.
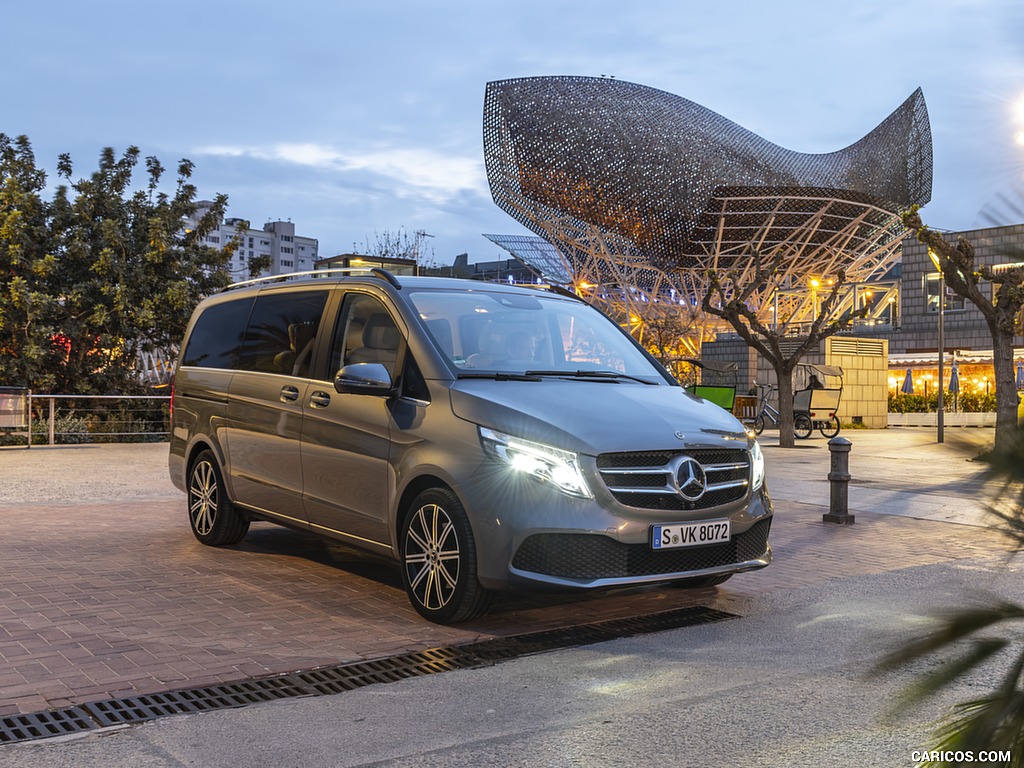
(281, 333)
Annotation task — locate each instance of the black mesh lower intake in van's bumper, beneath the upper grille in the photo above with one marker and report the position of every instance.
(598, 557)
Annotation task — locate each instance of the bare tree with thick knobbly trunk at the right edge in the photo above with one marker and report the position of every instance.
(1002, 312)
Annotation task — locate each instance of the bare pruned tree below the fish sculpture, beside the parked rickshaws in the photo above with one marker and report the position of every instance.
(730, 300)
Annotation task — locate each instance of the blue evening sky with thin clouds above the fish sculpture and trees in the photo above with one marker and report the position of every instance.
(353, 118)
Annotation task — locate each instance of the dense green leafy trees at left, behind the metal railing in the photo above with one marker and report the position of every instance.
(100, 273)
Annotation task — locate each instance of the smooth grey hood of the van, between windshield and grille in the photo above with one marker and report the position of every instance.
(595, 417)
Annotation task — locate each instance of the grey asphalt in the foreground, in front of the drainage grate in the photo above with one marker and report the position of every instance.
(784, 686)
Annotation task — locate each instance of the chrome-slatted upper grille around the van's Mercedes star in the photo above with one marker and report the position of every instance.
(645, 480)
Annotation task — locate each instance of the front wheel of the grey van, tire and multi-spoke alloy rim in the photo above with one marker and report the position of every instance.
(439, 560)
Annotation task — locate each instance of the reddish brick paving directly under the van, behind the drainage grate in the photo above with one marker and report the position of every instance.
(117, 600)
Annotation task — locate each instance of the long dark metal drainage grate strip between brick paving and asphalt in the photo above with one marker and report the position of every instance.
(330, 680)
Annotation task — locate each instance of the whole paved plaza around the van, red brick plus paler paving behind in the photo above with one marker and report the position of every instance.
(105, 592)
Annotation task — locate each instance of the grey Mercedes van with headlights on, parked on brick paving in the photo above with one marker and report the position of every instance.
(485, 437)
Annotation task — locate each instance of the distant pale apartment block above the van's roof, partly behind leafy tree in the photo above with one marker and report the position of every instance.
(288, 252)
